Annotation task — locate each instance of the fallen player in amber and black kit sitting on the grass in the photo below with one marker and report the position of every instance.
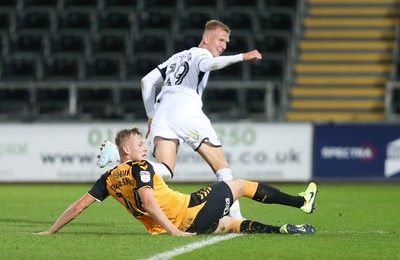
(145, 195)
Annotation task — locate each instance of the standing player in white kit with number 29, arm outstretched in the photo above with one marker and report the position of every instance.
(176, 114)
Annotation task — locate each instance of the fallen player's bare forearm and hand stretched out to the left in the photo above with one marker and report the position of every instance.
(70, 214)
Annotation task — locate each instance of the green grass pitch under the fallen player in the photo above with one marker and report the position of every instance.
(353, 221)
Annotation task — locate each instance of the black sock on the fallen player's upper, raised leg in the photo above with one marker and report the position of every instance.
(270, 195)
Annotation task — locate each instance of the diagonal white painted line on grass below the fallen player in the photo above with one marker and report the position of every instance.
(191, 247)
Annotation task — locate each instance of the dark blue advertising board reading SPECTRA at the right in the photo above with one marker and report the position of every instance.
(357, 152)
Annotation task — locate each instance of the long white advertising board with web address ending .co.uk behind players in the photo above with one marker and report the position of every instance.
(67, 152)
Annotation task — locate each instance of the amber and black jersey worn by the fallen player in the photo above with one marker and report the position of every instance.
(123, 183)
